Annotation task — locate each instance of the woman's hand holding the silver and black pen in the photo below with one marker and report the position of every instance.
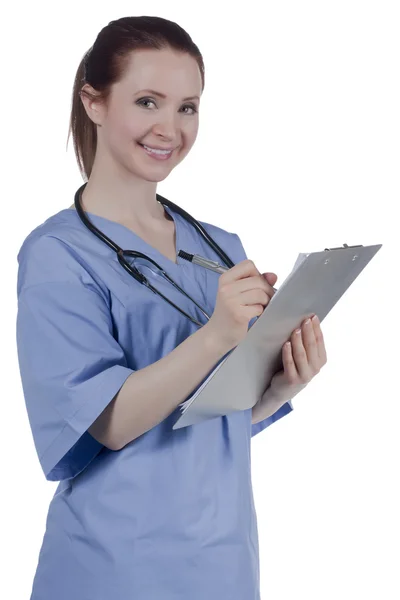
(243, 293)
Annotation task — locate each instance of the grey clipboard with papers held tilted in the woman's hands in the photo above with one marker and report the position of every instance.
(316, 283)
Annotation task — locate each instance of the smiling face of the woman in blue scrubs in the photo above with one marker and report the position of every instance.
(135, 116)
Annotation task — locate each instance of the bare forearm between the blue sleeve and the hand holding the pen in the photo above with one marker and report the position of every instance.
(151, 394)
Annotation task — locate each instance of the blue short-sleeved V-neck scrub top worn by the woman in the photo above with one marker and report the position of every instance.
(171, 515)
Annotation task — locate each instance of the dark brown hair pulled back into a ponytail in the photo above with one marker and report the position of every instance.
(104, 64)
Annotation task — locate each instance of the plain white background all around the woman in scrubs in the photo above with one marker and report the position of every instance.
(298, 150)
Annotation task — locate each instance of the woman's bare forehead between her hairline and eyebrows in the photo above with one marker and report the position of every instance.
(167, 71)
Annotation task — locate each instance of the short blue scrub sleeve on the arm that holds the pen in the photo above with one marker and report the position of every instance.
(70, 364)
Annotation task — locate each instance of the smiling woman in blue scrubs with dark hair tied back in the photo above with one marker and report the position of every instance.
(142, 511)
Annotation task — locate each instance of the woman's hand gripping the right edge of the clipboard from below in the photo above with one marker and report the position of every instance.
(303, 357)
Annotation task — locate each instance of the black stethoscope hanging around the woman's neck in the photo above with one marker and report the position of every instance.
(132, 269)
